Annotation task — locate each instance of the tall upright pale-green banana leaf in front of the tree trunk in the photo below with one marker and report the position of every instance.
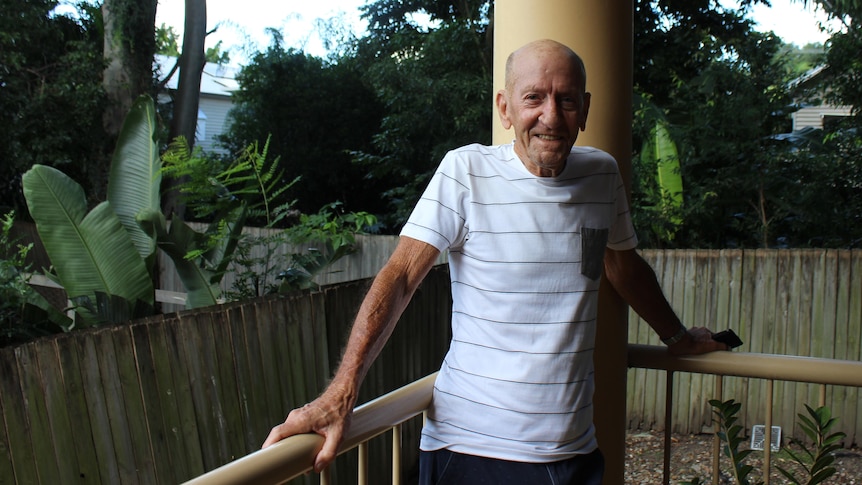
(135, 179)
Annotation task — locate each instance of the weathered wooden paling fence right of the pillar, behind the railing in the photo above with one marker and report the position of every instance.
(792, 302)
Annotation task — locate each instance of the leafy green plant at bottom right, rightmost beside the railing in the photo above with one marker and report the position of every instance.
(816, 461)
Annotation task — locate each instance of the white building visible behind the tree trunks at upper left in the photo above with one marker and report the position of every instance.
(217, 86)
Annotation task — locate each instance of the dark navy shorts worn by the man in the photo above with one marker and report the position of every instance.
(443, 467)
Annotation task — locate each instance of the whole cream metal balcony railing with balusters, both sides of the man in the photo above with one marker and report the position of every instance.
(293, 457)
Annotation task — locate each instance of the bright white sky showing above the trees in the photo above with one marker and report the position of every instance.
(244, 23)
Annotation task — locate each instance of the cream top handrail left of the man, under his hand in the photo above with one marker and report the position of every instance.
(294, 456)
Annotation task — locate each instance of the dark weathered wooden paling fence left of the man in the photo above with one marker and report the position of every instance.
(165, 399)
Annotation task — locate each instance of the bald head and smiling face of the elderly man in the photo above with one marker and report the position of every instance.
(545, 103)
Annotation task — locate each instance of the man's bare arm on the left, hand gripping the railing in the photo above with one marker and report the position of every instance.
(329, 415)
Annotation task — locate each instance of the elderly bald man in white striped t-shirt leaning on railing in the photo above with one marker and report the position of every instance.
(530, 226)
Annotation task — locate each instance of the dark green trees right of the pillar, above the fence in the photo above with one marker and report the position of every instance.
(726, 93)
